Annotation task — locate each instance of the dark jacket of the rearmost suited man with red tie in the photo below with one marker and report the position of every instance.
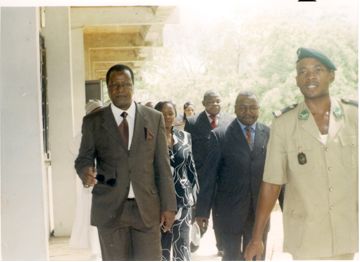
(199, 127)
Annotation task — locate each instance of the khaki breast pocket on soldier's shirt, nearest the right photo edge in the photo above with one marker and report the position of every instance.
(349, 150)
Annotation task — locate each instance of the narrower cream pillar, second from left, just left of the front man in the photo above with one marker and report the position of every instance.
(61, 115)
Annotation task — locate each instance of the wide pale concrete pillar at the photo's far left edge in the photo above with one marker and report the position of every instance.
(24, 230)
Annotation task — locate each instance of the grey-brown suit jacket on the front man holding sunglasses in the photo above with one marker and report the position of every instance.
(146, 164)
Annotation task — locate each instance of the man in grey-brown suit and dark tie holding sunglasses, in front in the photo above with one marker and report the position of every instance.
(123, 154)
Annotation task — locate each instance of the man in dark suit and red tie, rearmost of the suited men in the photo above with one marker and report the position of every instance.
(199, 127)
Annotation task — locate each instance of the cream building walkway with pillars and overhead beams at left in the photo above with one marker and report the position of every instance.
(48, 57)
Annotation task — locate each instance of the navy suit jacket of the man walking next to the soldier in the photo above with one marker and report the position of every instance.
(235, 173)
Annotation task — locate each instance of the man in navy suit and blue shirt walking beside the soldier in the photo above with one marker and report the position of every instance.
(234, 169)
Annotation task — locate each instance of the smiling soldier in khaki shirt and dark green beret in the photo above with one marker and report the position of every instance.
(313, 150)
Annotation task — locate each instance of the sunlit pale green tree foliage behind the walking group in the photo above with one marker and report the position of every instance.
(257, 54)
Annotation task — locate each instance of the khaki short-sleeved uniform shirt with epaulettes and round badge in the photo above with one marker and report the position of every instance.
(321, 198)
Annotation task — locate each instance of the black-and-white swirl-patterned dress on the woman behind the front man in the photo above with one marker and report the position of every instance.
(186, 188)
